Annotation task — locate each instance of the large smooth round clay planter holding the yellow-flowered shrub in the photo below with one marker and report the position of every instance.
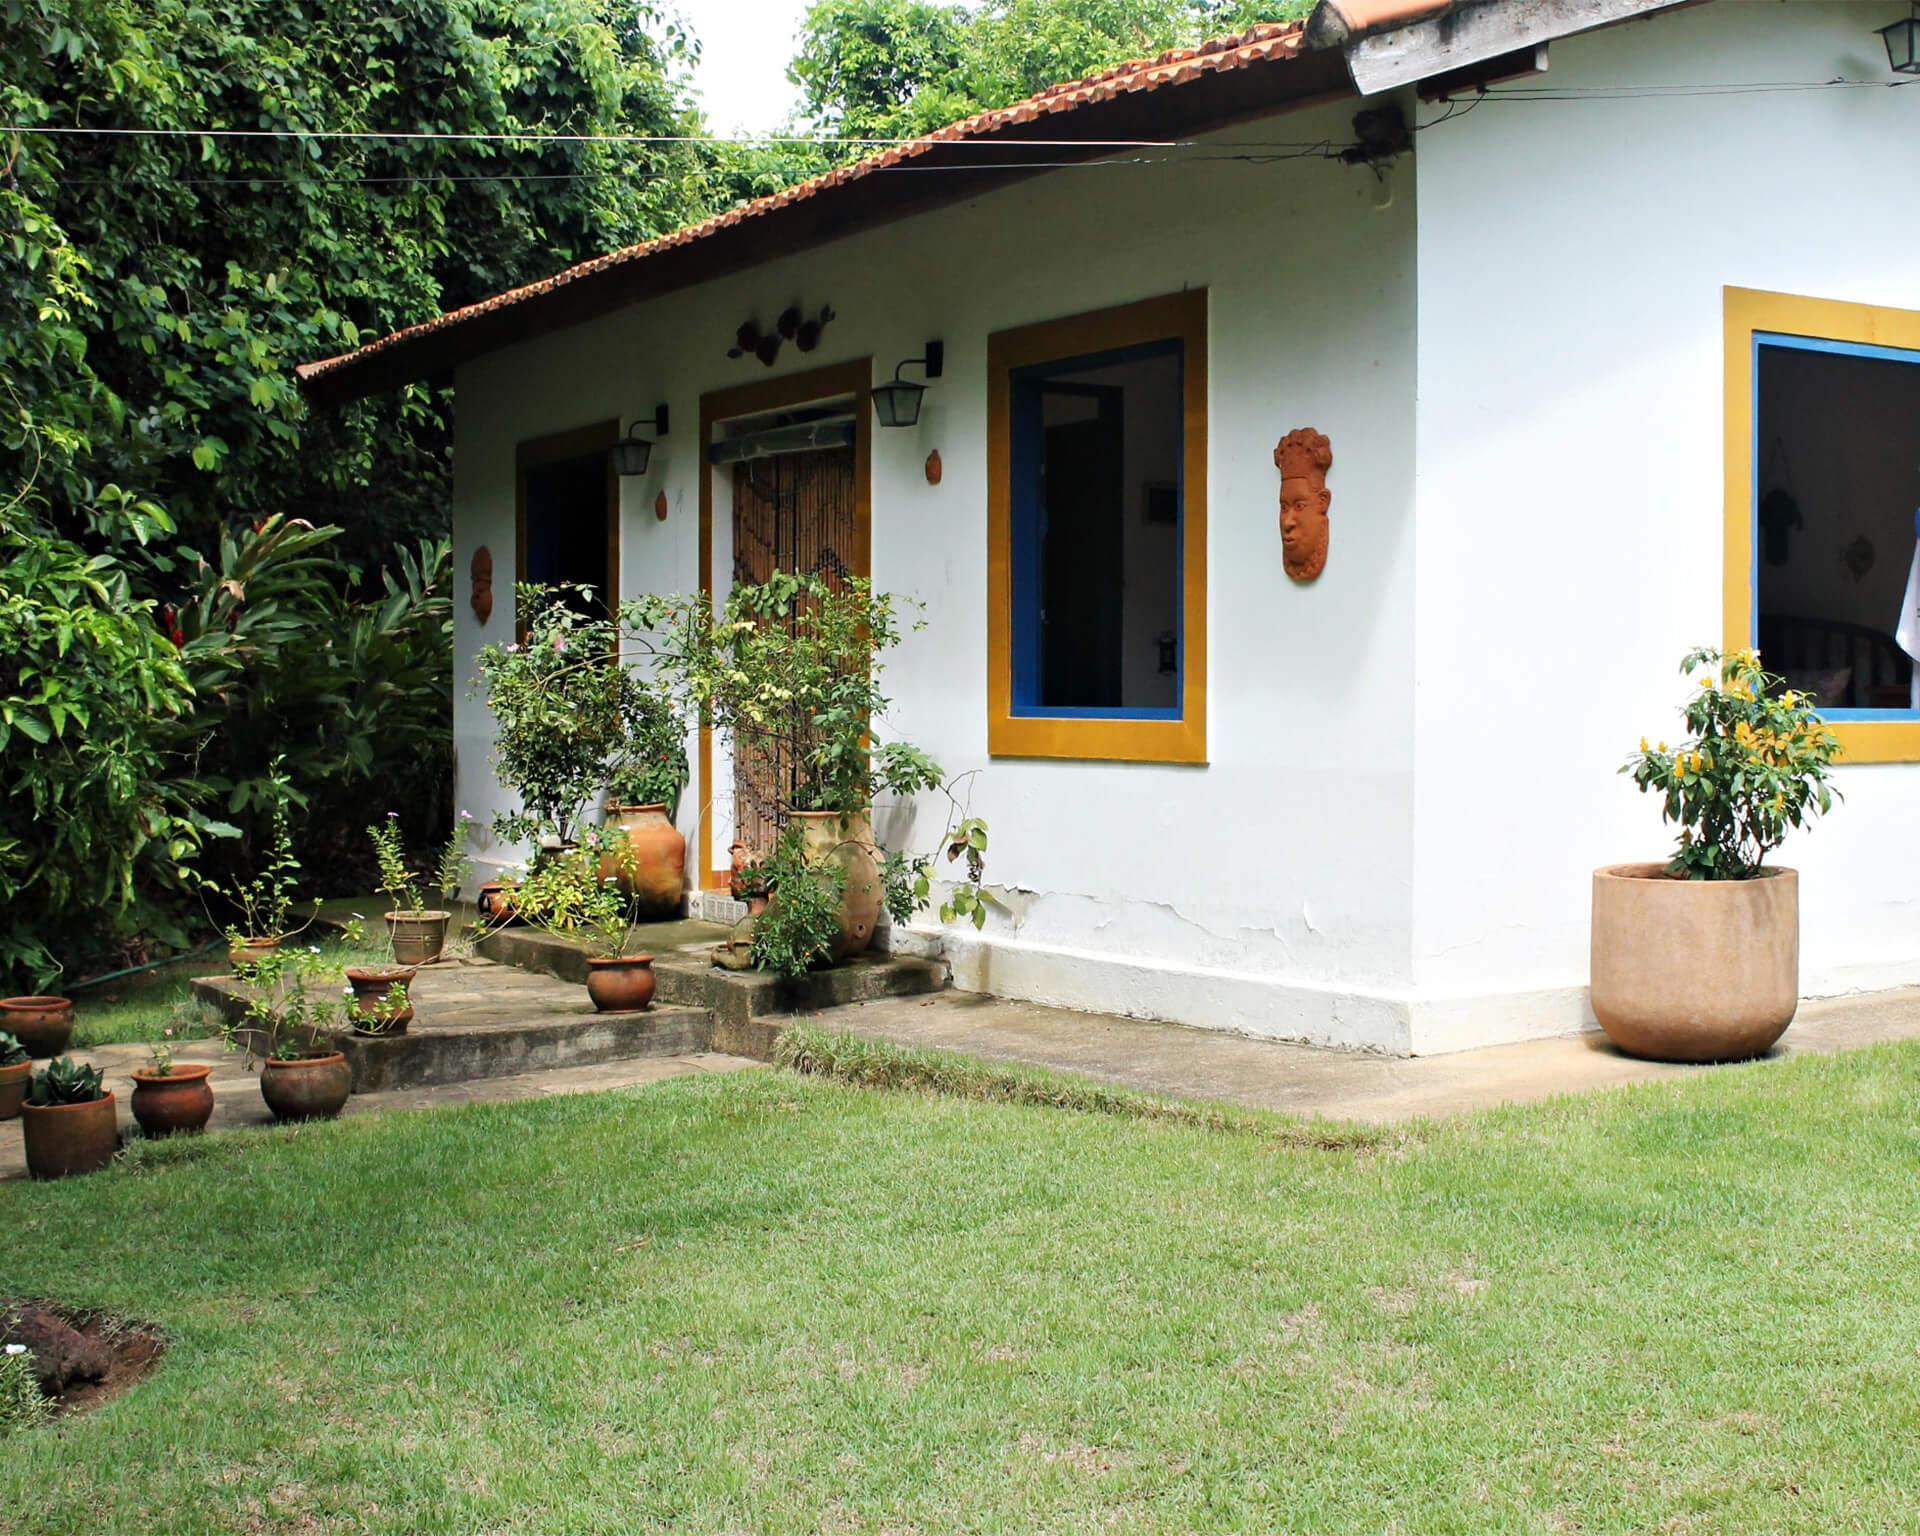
(1694, 971)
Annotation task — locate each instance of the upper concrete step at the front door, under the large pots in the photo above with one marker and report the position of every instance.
(748, 1009)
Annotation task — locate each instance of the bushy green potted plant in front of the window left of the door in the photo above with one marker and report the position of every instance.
(562, 706)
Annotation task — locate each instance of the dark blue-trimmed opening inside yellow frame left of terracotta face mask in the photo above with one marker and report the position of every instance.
(1097, 517)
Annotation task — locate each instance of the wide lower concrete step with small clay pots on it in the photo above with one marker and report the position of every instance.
(477, 1020)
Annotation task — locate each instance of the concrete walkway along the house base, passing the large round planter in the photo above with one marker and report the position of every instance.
(1312, 1082)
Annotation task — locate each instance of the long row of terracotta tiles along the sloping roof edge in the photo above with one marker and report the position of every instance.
(1259, 45)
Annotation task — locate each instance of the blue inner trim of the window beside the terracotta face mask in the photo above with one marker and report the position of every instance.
(1024, 452)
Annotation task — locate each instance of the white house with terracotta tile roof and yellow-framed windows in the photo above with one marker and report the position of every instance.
(1610, 312)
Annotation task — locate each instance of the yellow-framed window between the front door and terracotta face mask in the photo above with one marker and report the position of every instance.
(1099, 535)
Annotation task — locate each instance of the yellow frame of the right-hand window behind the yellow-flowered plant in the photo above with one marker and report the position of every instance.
(1750, 312)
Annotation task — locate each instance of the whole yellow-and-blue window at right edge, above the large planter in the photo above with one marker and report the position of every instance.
(1823, 485)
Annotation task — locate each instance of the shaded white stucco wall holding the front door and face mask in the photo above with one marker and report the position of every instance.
(1268, 892)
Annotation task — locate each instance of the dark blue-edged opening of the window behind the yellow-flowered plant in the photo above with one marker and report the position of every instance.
(1836, 481)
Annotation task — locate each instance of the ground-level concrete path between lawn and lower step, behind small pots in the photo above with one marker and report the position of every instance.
(237, 1092)
